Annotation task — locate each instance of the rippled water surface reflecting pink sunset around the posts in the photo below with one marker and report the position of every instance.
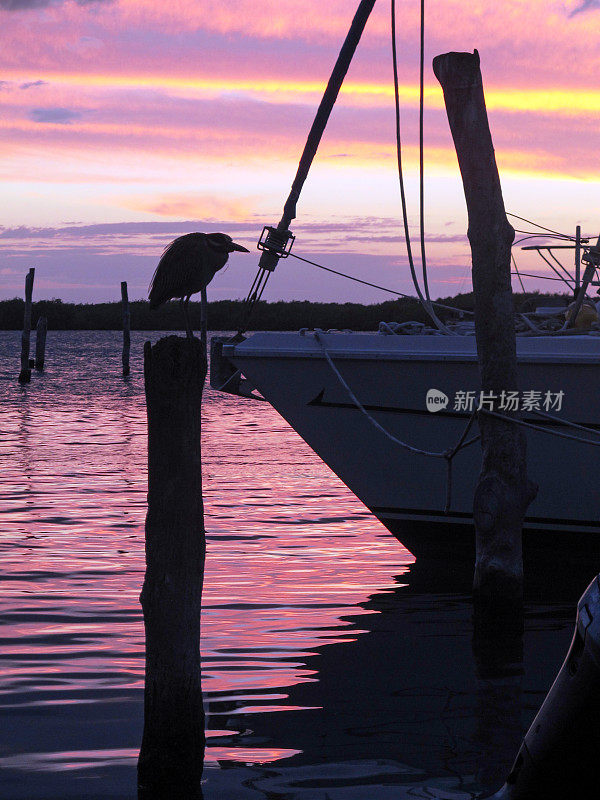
(334, 668)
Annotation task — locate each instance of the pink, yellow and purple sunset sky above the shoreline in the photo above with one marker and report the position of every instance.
(126, 123)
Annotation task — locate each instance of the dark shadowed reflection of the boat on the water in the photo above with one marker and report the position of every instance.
(413, 706)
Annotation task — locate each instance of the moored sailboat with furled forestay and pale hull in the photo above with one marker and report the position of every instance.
(394, 415)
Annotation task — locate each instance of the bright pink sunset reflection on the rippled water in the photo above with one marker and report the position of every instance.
(290, 551)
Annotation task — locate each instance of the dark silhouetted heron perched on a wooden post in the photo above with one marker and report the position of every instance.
(187, 266)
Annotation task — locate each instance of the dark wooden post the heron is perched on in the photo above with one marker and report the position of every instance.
(171, 756)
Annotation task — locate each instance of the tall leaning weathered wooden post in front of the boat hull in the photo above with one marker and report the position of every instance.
(503, 492)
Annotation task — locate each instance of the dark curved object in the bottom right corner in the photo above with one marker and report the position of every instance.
(560, 754)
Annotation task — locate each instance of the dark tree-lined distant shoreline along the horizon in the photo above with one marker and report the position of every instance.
(226, 314)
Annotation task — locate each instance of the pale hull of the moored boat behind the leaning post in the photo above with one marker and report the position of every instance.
(390, 376)
